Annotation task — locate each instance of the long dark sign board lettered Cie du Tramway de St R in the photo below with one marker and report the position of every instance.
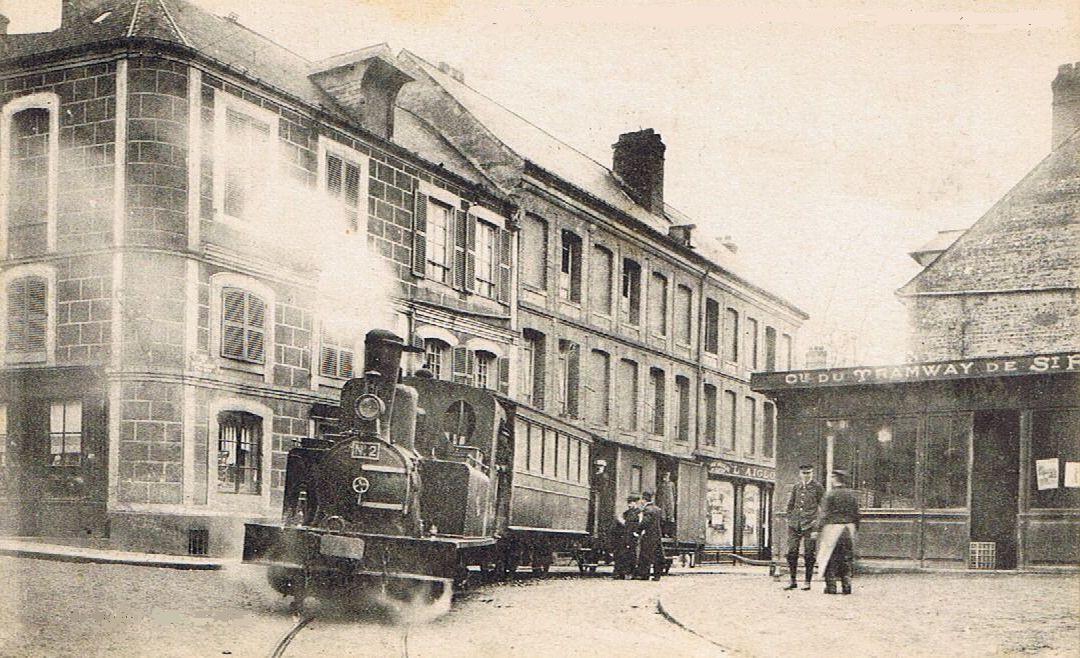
(965, 369)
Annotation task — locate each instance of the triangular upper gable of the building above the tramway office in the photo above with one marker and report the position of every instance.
(1029, 240)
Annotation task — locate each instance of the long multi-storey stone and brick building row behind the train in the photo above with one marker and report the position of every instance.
(188, 211)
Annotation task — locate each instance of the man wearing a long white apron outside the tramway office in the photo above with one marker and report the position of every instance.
(840, 520)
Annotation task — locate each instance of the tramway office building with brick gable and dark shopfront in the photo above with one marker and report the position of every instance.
(968, 458)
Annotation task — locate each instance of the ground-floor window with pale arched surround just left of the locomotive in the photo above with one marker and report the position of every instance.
(239, 453)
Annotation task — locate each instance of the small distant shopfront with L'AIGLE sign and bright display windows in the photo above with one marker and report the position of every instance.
(739, 503)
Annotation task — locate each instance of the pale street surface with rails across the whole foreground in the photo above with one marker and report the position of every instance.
(93, 610)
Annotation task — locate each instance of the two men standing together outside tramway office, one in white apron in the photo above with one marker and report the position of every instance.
(826, 525)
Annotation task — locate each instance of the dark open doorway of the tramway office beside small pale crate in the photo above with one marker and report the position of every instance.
(995, 484)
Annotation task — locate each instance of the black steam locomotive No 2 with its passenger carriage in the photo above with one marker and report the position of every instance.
(428, 479)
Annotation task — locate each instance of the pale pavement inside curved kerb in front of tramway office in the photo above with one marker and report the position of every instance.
(962, 614)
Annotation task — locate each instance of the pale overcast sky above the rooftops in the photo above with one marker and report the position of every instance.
(828, 141)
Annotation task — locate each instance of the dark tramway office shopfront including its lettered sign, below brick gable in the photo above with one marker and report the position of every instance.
(968, 464)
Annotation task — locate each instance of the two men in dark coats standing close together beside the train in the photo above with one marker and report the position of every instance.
(639, 549)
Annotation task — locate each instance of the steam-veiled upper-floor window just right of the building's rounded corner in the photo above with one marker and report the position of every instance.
(246, 139)
